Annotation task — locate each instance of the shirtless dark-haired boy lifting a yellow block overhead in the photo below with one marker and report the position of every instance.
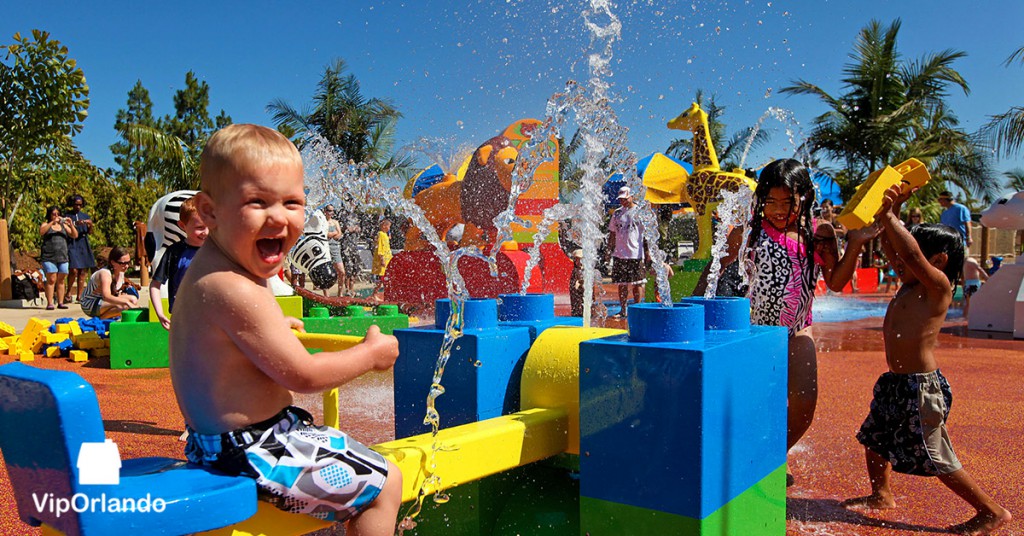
(906, 430)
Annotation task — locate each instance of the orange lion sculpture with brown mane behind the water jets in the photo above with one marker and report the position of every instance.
(476, 198)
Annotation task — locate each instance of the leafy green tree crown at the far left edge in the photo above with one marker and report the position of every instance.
(44, 101)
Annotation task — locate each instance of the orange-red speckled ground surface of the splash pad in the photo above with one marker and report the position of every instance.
(140, 415)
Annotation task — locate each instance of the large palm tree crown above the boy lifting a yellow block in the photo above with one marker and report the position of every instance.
(892, 110)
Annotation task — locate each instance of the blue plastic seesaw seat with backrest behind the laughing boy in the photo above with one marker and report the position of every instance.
(47, 416)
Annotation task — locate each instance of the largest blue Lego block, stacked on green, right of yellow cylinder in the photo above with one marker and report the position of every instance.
(678, 420)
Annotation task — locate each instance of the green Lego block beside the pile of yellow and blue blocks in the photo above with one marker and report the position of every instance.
(139, 344)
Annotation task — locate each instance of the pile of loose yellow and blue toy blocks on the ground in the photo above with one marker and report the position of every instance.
(78, 340)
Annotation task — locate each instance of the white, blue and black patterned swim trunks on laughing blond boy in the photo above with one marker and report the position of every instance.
(298, 468)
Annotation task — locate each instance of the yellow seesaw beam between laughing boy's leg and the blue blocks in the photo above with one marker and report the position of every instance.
(477, 450)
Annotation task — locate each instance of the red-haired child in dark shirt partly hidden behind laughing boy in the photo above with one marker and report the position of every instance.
(177, 260)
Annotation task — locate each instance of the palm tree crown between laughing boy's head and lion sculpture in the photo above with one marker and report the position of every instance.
(363, 130)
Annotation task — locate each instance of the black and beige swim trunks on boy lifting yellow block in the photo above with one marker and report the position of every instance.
(908, 424)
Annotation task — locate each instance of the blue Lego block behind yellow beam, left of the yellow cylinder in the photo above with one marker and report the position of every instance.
(481, 380)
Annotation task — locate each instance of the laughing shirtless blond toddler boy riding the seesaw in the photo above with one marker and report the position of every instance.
(235, 361)
